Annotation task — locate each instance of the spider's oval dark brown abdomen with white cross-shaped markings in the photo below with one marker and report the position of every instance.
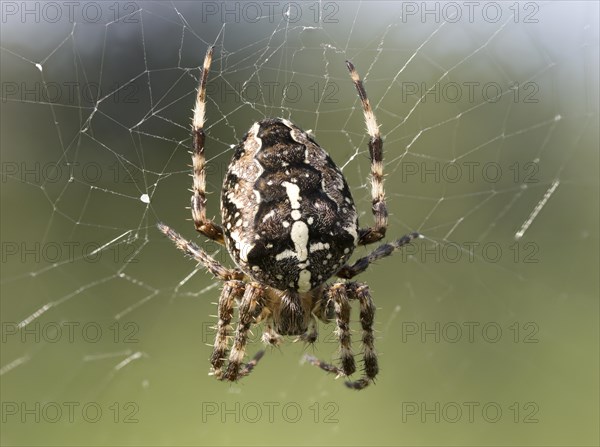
(288, 215)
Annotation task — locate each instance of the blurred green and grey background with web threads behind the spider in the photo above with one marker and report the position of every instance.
(485, 109)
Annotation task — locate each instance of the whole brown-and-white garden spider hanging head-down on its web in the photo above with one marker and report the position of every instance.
(289, 224)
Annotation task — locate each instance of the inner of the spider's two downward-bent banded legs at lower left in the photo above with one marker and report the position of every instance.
(250, 309)
